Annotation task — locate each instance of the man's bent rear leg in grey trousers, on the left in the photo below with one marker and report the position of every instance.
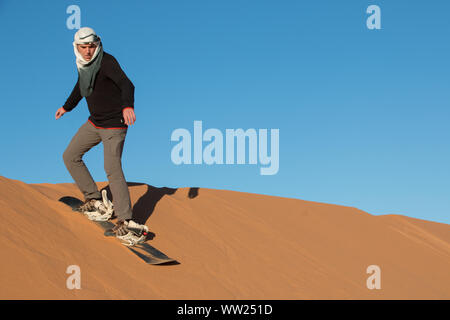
(82, 142)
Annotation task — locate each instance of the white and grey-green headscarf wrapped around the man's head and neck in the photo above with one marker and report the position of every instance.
(87, 70)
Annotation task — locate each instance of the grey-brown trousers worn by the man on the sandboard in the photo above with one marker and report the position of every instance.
(113, 140)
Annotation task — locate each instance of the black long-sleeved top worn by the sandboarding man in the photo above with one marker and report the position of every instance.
(112, 93)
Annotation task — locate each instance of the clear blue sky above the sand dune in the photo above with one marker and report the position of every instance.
(362, 114)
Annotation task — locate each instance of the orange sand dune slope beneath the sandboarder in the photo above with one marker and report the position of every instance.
(230, 245)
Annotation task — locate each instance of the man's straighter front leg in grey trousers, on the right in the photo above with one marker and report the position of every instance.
(113, 142)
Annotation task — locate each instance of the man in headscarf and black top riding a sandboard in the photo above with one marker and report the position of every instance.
(110, 98)
